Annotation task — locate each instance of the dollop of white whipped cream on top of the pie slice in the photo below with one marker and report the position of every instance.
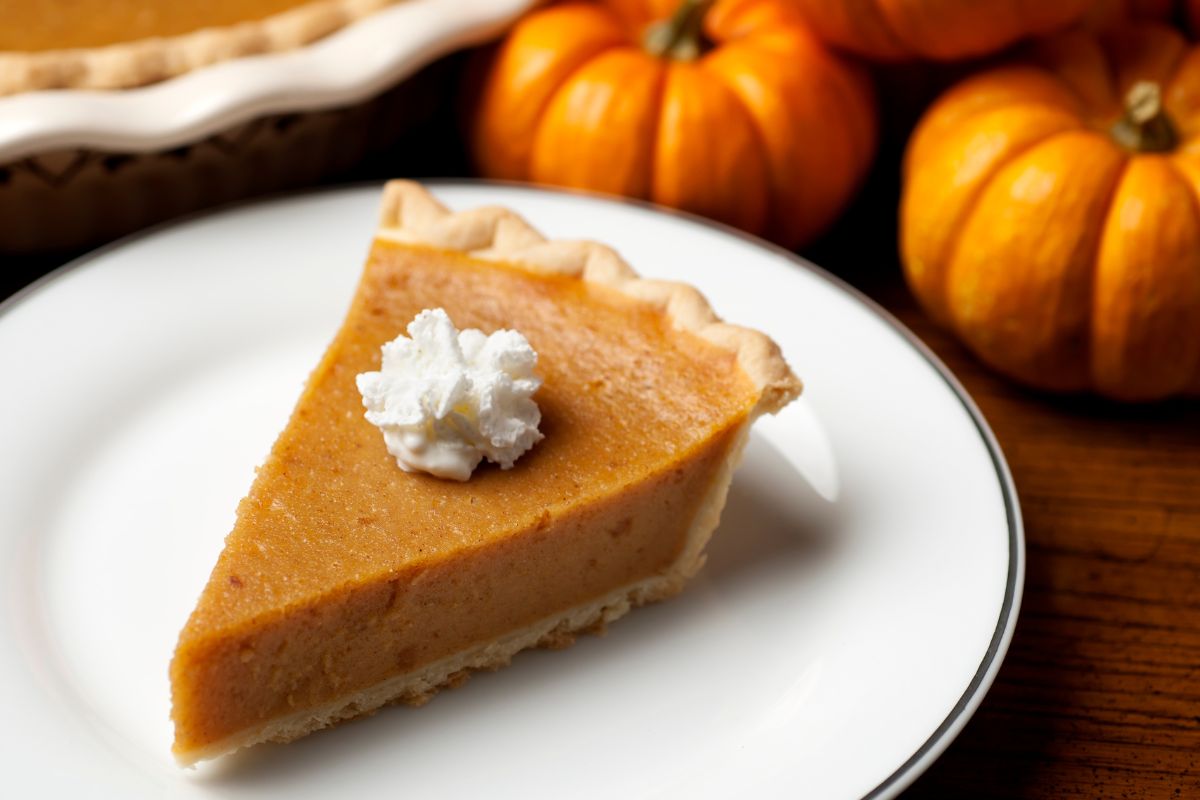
(447, 399)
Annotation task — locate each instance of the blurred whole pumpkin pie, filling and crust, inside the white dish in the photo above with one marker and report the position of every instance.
(123, 44)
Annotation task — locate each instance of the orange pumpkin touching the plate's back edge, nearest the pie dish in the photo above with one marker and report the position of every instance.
(731, 111)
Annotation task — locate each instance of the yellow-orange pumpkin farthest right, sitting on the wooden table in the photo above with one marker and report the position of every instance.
(1052, 214)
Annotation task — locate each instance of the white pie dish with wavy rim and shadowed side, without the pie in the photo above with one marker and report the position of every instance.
(82, 167)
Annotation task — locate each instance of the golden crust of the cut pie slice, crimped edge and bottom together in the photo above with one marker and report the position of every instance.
(412, 216)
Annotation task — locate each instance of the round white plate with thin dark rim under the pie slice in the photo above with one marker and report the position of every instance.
(859, 599)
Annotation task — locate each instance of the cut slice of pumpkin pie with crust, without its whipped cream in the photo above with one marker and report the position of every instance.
(349, 584)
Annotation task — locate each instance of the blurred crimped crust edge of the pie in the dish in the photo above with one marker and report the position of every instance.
(127, 65)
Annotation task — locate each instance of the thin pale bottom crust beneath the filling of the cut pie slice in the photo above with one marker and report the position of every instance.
(559, 631)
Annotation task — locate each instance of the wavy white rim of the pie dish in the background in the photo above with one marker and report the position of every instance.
(345, 68)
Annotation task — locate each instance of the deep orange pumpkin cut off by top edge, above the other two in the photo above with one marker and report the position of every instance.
(941, 31)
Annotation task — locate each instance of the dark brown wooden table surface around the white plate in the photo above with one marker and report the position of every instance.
(1100, 696)
